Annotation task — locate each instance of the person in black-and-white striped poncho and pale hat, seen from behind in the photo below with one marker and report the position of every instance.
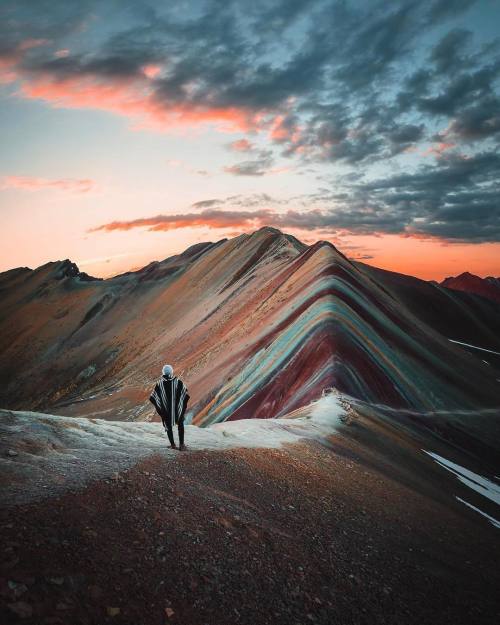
(170, 398)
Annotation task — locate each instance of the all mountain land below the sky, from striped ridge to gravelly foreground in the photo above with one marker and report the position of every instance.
(347, 467)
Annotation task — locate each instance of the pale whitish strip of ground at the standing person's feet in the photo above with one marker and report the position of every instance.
(42, 455)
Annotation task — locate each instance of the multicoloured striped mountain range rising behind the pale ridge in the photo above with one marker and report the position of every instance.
(258, 326)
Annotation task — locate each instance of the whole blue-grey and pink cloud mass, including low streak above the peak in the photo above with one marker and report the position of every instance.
(357, 87)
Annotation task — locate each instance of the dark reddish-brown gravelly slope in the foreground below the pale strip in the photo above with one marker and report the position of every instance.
(309, 533)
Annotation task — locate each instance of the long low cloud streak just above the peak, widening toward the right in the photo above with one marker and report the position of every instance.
(456, 200)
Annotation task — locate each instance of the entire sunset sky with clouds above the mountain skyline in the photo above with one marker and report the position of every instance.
(134, 129)
